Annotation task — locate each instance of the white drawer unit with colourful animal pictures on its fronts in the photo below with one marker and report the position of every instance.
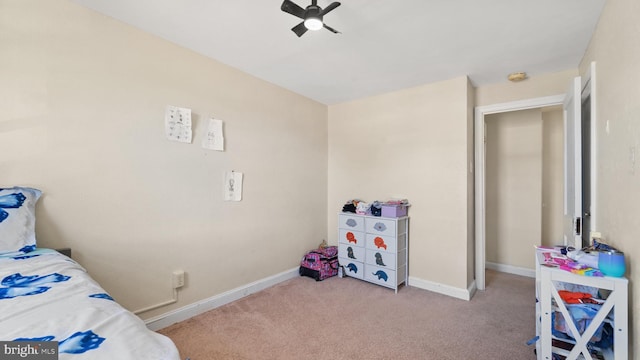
(374, 249)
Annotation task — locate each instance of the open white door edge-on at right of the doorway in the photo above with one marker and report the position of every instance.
(573, 166)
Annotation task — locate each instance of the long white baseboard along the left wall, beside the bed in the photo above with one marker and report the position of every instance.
(189, 311)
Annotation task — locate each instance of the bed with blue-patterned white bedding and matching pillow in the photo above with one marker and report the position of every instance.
(47, 297)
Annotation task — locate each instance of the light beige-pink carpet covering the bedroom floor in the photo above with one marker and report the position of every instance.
(345, 318)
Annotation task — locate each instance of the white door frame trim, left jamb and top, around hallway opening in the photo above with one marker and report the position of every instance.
(479, 144)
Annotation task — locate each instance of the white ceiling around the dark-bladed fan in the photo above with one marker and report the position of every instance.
(385, 45)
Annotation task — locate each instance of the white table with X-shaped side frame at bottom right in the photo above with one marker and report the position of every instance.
(547, 279)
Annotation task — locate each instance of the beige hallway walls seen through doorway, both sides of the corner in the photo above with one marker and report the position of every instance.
(524, 153)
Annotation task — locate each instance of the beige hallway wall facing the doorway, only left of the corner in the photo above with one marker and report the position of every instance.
(513, 163)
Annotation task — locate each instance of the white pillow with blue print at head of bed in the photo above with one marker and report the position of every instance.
(18, 219)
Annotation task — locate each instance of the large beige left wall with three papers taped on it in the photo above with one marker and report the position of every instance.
(83, 100)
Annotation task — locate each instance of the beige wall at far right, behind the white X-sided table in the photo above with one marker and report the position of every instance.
(615, 47)
